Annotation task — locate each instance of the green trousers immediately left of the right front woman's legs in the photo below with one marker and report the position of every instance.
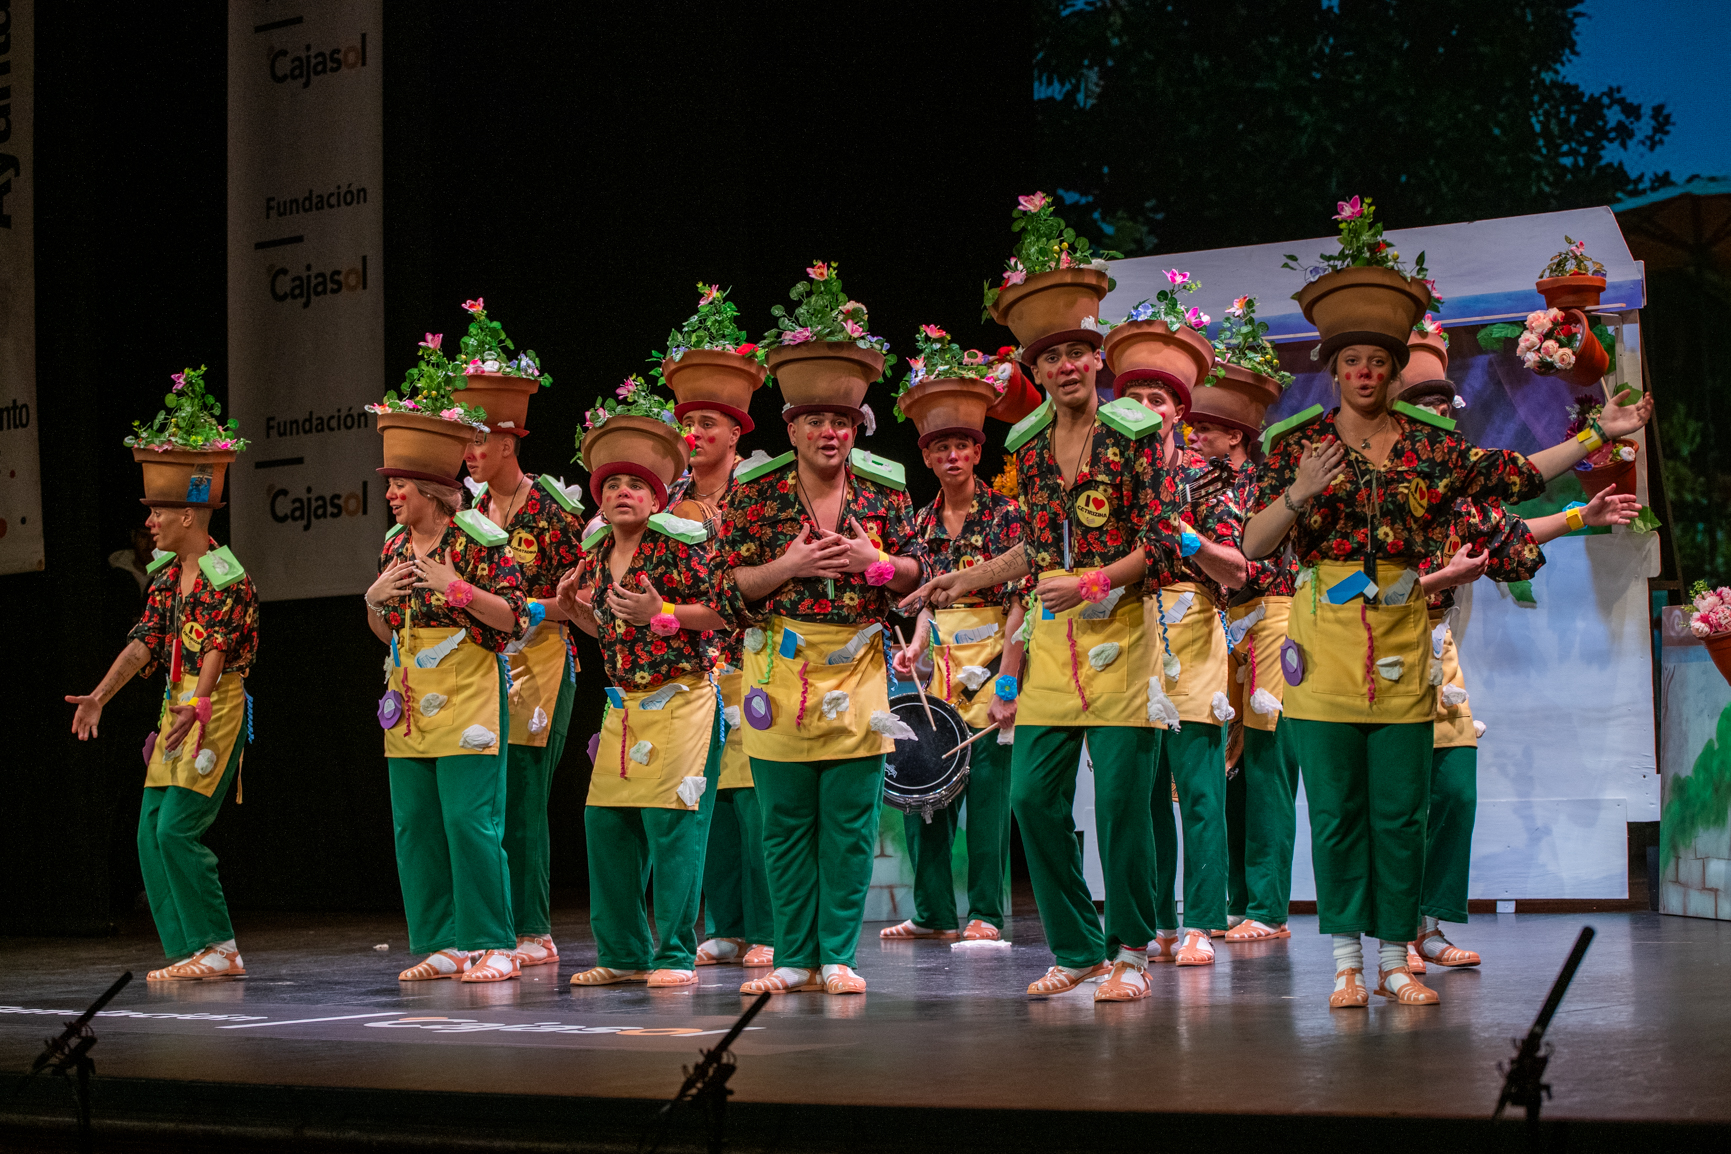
(1263, 823)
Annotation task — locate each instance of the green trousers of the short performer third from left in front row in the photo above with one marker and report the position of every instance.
(627, 845)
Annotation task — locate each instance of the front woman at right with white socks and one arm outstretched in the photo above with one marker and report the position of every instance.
(1365, 490)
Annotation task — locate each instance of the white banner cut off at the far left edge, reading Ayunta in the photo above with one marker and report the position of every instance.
(20, 465)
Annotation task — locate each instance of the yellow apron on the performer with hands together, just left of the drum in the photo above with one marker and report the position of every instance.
(804, 679)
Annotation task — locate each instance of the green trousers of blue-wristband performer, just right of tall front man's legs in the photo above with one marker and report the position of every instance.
(1195, 759)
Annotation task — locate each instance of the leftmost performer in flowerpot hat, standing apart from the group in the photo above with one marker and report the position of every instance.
(200, 627)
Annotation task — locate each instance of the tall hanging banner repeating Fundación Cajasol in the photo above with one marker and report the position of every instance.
(307, 293)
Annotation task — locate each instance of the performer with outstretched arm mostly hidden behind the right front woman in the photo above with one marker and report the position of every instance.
(1491, 542)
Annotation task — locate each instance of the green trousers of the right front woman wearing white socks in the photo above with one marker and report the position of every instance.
(1367, 830)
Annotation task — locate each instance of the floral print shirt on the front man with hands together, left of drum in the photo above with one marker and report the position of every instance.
(764, 516)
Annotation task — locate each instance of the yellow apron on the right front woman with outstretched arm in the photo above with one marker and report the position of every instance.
(1334, 644)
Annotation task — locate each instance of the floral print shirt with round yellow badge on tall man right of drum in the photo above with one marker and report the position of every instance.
(1121, 501)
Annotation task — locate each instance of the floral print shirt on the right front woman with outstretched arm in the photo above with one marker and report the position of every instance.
(1410, 501)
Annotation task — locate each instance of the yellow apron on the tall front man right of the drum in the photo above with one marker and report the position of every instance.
(1064, 688)
